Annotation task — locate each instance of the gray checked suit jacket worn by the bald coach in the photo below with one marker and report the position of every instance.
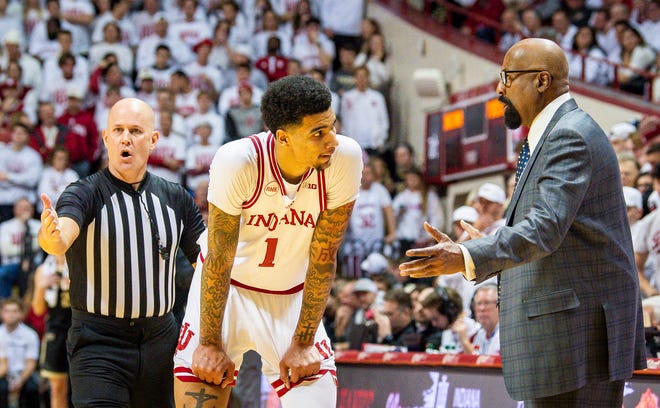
(570, 306)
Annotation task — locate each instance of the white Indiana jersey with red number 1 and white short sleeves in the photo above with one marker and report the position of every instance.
(276, 230)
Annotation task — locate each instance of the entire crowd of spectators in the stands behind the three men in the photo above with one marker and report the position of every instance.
(203, 66)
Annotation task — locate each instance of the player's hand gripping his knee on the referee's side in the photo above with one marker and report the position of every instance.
(212, 365)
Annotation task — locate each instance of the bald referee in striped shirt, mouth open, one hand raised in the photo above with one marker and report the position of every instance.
(120, 229)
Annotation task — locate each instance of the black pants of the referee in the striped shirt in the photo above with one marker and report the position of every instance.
(121, 362)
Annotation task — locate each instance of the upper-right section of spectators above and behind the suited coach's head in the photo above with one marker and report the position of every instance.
(607, 42)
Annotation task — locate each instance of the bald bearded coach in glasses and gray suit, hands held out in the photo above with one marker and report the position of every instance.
(570, 308)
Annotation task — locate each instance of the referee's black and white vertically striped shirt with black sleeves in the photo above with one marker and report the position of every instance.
(115, 265)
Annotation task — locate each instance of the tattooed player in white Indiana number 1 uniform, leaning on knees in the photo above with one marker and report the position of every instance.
(279, 203)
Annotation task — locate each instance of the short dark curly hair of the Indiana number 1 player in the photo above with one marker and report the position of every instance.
(287, 101)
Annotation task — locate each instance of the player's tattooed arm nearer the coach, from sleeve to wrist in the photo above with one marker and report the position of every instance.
(326, 240)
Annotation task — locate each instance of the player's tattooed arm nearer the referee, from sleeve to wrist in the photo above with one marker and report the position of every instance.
(216, 275)
